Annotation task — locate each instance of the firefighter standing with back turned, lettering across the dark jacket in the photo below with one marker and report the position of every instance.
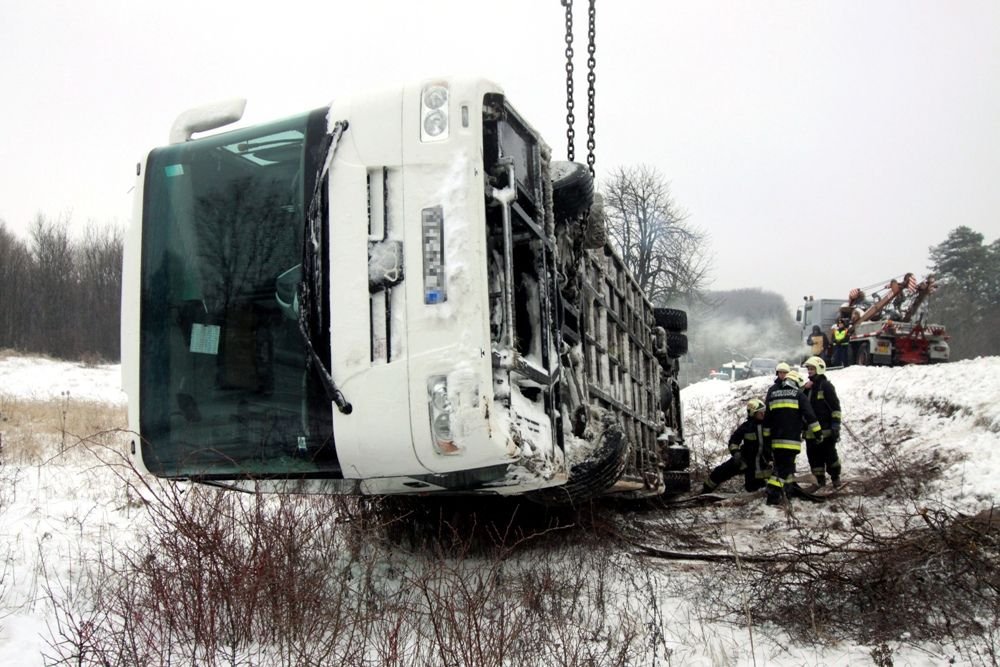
(788, 414)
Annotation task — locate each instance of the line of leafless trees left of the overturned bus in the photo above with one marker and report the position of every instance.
(60, 295)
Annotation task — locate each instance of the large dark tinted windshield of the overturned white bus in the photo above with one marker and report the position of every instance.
(225, 385)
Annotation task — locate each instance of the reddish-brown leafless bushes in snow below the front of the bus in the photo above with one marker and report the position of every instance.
(215, 577)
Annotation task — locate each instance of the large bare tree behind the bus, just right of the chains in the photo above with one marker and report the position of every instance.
(651, 232)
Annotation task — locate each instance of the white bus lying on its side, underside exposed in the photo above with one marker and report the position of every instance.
(398, 293)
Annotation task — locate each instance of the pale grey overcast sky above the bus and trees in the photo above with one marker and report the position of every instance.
(821, 145)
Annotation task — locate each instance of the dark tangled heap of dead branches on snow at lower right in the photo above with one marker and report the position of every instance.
(932, 578)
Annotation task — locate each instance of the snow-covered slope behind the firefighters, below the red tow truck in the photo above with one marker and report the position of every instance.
(953, 409)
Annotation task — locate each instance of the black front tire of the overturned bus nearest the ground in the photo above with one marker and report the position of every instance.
(590, 478)
